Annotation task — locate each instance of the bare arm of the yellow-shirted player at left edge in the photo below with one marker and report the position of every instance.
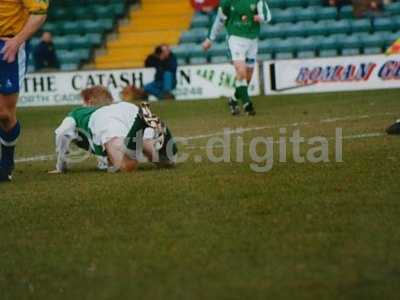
(12, 45)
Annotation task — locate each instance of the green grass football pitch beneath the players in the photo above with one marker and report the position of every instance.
(214, 230)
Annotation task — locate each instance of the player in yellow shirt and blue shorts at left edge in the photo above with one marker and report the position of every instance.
(19, 20)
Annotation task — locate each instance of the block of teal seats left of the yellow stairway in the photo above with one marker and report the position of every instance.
(78, 27)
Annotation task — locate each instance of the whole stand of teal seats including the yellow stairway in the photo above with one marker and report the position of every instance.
(300, 28)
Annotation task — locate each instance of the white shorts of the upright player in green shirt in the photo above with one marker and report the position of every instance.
(243, 49)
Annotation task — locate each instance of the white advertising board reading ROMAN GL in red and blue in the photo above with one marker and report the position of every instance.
(331, 74)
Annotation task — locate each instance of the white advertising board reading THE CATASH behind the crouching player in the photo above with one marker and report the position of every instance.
(194, 82)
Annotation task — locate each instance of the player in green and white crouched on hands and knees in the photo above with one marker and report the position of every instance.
(118, 134)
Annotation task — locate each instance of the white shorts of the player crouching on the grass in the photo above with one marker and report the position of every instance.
(111, 121)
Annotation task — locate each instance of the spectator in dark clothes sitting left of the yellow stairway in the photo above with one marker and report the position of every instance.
(44, 54)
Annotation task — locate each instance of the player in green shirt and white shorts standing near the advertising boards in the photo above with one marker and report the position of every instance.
(242, 19)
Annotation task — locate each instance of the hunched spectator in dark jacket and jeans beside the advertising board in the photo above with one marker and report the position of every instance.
(165, 63)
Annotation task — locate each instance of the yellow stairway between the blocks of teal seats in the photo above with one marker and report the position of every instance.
(153, 23)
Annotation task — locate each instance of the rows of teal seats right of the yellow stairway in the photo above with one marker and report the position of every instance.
(303, 29)
